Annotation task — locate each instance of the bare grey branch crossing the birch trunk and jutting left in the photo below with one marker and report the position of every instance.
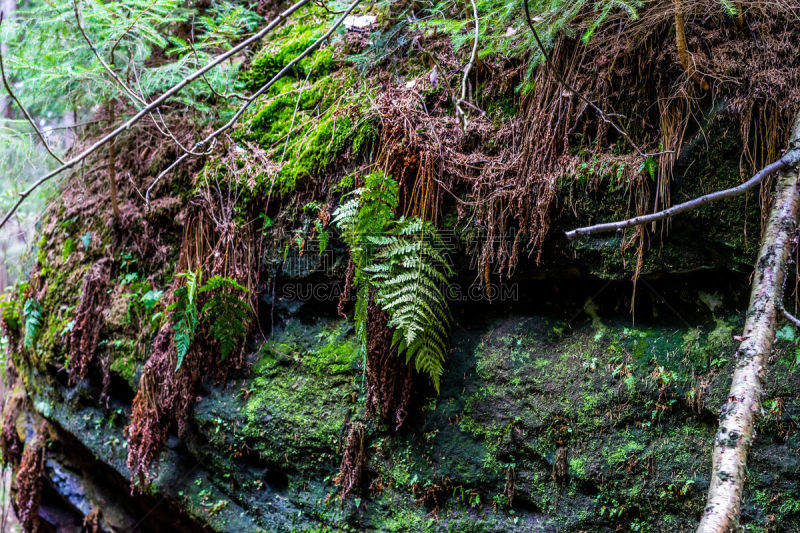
(791, 158)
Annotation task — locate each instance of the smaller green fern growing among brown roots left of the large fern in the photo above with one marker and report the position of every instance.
(225, 312)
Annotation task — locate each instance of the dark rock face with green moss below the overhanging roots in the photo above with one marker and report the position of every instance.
(557, 412)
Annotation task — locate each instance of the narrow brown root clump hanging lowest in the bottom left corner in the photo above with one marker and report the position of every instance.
(29, 482)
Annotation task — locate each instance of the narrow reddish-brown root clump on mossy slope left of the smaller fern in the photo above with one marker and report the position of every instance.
(88, 323)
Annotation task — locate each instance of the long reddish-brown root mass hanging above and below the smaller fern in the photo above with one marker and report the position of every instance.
(212, 245)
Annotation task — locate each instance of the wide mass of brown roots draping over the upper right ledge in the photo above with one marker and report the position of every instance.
(507, 176)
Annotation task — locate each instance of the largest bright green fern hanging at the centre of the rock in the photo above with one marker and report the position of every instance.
(402, 259)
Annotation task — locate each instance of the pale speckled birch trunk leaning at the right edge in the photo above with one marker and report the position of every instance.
(735, 434)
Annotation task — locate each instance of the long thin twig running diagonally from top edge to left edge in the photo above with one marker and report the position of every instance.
(153, 105)
